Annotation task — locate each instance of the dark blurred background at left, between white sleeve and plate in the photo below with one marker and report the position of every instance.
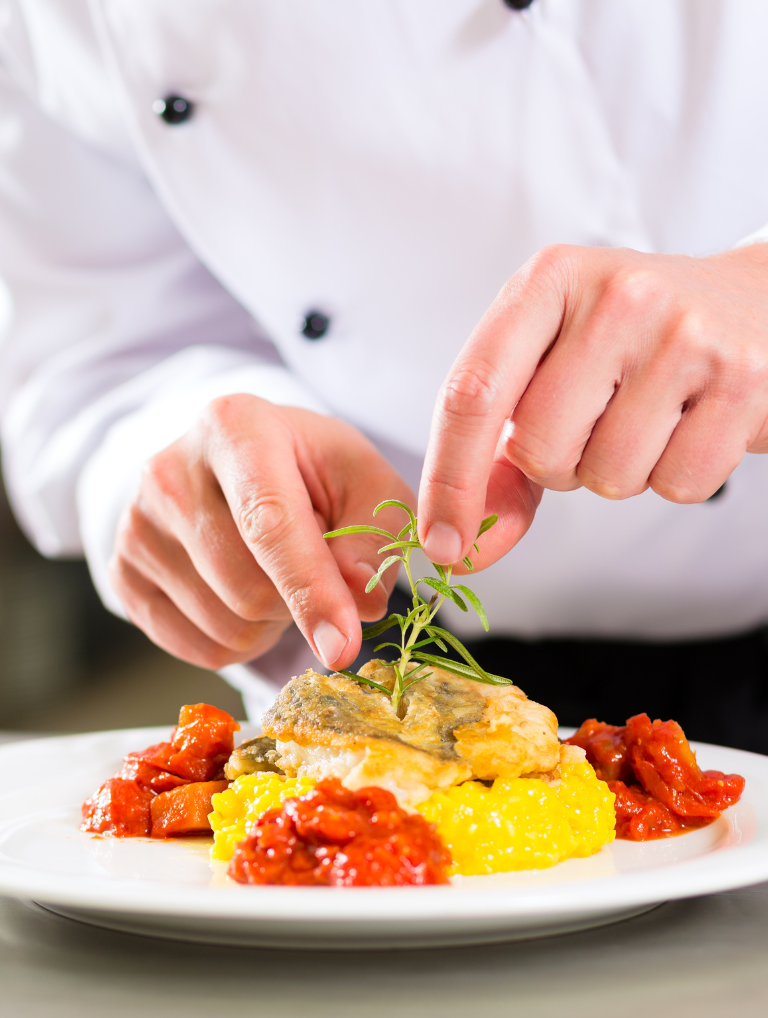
(68, 665)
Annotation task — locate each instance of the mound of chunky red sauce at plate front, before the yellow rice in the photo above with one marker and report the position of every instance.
(333, 836)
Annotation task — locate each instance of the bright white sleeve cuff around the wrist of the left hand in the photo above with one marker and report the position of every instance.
(113, 474)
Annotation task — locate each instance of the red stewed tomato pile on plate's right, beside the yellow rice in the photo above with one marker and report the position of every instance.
(653, 772)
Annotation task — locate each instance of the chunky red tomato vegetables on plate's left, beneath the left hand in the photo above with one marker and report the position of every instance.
(196, 755)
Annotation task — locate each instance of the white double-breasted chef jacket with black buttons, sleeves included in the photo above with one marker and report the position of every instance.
(390, 163)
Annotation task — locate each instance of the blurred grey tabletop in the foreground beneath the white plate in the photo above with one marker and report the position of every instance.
(702, 957)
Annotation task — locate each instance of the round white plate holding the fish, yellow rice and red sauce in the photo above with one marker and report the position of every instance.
(171, 889)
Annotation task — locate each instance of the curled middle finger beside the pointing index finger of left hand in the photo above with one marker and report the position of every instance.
(184, 498)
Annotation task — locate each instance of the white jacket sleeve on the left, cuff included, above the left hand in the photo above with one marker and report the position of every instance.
(115, 335)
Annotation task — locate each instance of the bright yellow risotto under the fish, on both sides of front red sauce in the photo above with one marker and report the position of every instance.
(523, 824)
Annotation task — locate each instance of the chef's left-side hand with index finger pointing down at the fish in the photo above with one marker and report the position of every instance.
(224, 544)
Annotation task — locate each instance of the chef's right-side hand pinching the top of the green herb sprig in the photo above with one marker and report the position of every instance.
(606, 369)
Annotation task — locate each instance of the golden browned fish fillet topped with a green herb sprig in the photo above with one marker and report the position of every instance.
(452, 729)
